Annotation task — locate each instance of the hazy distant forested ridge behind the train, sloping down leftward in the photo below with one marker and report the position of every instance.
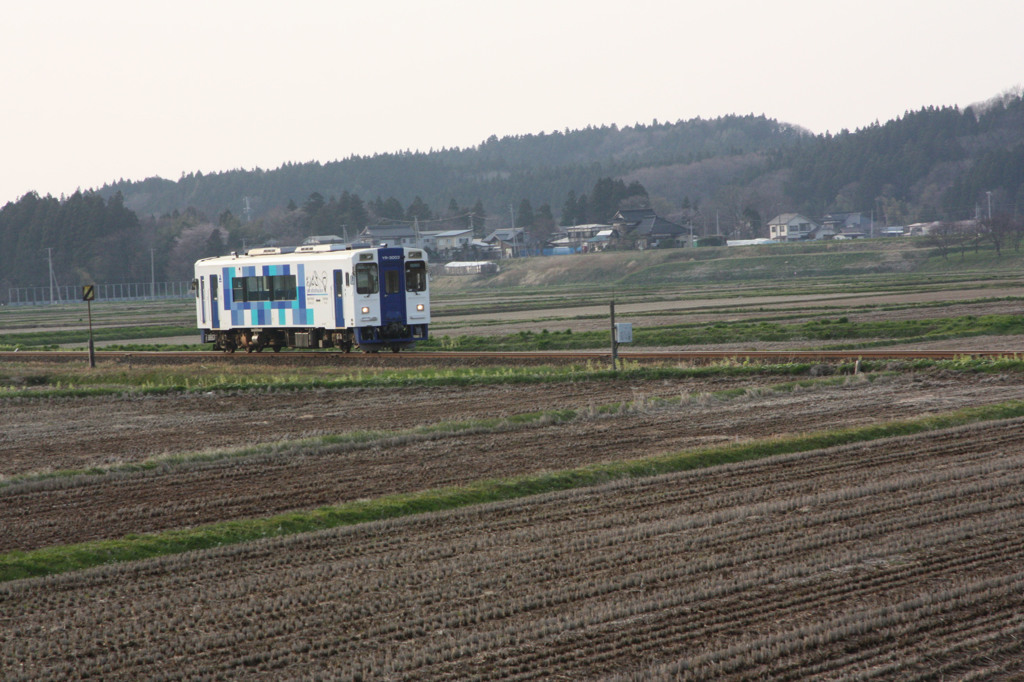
(542, 168)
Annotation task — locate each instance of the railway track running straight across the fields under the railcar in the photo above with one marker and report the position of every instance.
(496, 358)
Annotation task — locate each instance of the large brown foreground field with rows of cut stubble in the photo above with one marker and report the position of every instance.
(893, 559)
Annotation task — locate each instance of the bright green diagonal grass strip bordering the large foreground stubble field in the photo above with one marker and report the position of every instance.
(58, 560)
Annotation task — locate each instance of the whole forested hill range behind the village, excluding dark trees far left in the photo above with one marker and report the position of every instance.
(930, 164)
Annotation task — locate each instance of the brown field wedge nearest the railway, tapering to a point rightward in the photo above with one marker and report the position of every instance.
(76, 434)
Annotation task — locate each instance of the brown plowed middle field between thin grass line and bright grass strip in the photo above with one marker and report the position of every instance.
(180, 497)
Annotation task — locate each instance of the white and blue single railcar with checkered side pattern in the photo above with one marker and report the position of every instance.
(318, 296)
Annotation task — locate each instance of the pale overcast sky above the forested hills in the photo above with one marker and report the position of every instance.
(93, 93)
